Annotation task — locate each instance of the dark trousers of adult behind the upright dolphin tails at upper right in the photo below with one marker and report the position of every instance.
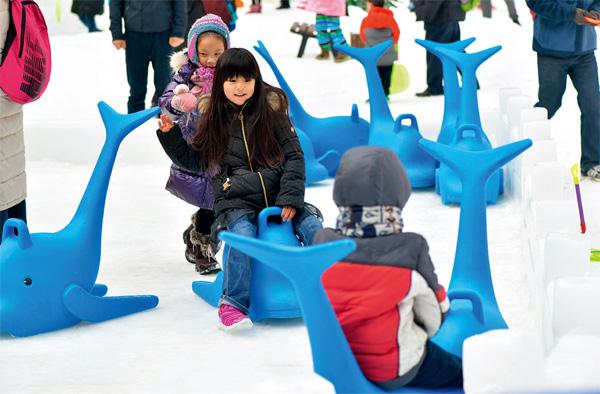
(444, 33)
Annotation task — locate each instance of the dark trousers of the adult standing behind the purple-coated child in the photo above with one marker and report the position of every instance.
(143, 49)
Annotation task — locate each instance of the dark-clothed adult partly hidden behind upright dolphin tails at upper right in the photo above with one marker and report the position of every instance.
(441, 21)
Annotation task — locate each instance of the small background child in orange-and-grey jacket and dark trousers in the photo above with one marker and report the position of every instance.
(379, 26)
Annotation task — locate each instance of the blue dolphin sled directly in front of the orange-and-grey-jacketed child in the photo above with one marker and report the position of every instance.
(400, 138)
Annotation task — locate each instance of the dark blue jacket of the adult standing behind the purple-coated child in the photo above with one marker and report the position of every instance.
(148, 16)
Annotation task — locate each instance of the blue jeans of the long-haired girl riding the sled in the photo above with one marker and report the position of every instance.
(237, 272)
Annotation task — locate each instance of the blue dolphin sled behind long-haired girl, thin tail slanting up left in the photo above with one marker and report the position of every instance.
(328, 135)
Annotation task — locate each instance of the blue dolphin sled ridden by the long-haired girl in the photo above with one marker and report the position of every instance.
(271, 294)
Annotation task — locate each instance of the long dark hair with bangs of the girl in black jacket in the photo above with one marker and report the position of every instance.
(268, 107)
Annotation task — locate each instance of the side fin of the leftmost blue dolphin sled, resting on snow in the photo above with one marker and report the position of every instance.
(91, 308)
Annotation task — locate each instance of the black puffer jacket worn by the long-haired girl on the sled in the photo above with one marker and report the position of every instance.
(237, 186)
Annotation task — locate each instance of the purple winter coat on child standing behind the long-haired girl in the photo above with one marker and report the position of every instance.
(194, 188)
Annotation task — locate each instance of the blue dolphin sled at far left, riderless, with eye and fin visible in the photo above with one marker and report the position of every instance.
(48, 280)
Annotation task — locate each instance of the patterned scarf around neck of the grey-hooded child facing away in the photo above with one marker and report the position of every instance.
(367, 222)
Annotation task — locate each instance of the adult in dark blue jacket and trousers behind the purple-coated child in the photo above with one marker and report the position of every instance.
(153, 28)
